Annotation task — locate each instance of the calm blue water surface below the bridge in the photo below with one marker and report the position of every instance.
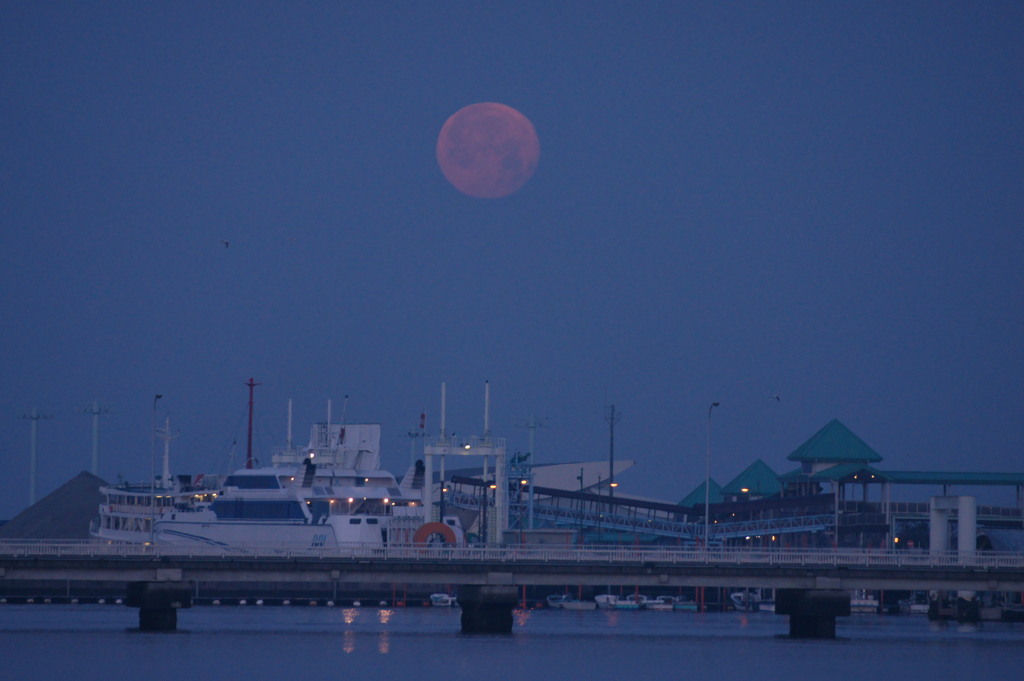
(87, 643)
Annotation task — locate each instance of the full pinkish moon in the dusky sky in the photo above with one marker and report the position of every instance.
(488, 150)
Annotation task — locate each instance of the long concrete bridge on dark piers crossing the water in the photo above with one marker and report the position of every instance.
(813, 581)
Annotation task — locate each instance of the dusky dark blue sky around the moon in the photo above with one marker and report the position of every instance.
(734, 201)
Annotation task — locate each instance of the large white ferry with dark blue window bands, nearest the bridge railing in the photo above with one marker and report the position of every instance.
(337, 495)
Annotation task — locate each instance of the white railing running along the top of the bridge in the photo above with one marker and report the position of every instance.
(782, 558)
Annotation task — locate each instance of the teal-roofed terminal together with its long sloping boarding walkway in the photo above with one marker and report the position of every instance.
(839, 495)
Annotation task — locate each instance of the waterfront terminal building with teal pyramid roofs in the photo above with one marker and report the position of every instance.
(841, 496)
